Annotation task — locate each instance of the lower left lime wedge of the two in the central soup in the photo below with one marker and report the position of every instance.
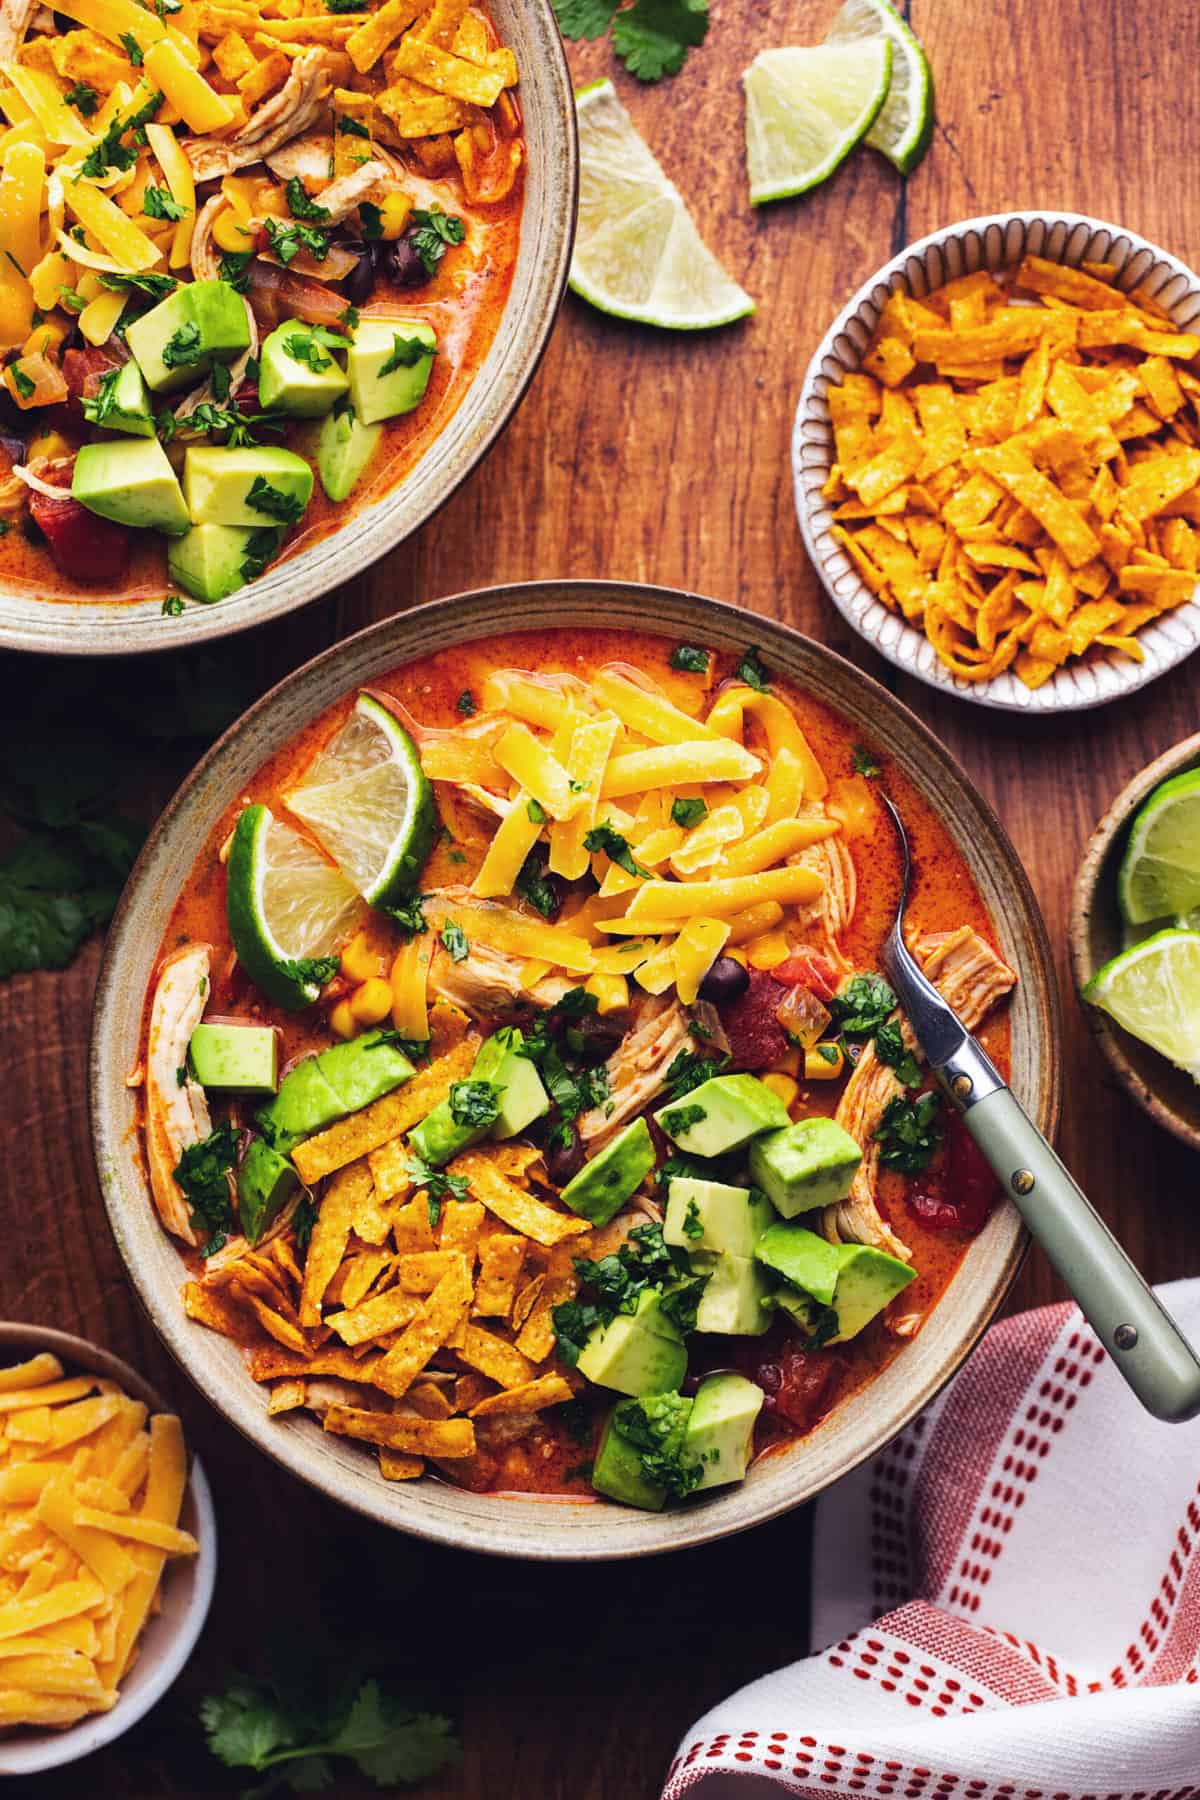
(287, 906)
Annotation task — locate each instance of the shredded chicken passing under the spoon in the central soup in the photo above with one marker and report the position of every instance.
(971, 978)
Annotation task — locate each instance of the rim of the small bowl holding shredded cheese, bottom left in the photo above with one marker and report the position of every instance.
(168, 1642)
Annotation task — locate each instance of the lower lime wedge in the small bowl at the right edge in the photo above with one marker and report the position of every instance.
(1154, 991)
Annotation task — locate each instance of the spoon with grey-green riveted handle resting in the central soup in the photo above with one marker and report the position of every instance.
(1145, 1344)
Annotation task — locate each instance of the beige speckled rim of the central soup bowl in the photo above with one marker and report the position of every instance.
(539, 1527)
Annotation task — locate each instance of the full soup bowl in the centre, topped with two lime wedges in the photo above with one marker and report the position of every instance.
(497, 1101)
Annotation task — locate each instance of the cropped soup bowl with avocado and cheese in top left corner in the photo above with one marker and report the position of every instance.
(265, 282)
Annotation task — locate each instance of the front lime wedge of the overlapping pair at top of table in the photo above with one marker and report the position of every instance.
(807, 109)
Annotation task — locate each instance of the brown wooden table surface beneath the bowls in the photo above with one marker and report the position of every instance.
(663, 460)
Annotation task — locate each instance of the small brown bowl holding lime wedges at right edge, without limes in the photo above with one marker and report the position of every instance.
(1095, 886)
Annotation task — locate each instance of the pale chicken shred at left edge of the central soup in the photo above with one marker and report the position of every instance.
(177, 1113)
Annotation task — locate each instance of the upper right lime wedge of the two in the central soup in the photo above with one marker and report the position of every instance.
(368, 802)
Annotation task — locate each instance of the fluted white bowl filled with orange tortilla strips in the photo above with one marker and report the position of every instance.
(998, 462)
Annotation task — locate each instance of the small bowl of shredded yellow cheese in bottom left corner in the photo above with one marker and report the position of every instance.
(107, 1549)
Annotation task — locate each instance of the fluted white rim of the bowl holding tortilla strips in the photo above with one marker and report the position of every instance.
(992, 240)
